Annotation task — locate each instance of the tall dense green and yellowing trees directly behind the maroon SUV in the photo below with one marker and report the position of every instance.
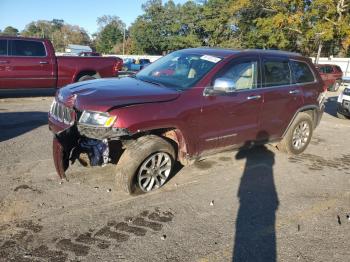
(294, 25)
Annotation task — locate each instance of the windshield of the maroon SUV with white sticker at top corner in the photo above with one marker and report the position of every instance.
(178, 70)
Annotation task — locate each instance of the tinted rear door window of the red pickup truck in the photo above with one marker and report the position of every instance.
(27, 48)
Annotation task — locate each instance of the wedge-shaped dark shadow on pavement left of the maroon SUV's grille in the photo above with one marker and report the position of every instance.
(13, 124)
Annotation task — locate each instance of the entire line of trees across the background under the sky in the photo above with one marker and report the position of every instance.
(304, 26)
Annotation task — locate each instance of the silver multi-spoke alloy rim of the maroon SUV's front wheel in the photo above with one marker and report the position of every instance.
(154, 171)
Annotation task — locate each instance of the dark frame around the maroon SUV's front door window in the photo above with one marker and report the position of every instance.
(238, 60)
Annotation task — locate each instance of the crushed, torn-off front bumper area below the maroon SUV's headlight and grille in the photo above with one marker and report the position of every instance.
(71, 142)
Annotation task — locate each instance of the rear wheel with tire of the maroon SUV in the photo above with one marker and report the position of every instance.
(298, 135)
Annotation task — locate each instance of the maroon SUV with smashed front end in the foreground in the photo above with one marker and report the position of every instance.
(186, 105)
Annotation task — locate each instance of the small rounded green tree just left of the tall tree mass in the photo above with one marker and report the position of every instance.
(111, 31)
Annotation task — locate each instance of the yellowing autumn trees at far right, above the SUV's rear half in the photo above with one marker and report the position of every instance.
(295, 25)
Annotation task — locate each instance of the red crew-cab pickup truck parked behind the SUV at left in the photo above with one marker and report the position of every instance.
(31, 63)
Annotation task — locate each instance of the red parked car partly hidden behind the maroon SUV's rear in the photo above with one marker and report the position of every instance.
(331, 75)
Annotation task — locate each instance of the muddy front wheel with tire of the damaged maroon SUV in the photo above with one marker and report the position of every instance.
(145, 165)
